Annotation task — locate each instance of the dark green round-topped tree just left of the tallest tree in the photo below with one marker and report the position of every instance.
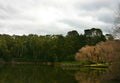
(72, 41)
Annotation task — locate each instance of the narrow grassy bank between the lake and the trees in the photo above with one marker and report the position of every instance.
(65, 64)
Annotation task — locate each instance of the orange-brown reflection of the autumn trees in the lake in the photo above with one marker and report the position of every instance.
(89, 76)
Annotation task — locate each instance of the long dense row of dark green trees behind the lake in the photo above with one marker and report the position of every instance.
(53, 48)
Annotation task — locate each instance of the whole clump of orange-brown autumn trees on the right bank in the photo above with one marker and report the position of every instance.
(103, 52)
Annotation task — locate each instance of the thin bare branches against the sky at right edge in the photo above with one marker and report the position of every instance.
(116, 29)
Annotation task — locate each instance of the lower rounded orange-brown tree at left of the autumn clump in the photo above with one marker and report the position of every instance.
(87, 53)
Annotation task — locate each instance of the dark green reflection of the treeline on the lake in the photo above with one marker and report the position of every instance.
(35, 74)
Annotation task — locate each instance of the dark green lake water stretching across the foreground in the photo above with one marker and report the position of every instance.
(50, 74)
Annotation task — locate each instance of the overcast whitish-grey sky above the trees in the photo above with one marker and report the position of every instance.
(55, 16)
